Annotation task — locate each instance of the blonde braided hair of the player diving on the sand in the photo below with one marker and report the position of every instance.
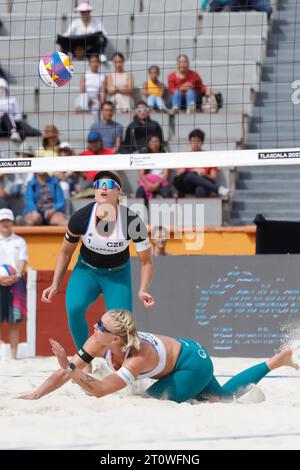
(125, 328)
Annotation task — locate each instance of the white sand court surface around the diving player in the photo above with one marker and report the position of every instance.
(69, 419)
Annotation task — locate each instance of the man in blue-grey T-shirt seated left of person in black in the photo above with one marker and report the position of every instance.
(111, 131)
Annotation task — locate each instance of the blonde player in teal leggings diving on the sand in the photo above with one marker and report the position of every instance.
(182, 367)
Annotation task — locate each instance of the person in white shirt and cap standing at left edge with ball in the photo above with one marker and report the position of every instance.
(13, 252)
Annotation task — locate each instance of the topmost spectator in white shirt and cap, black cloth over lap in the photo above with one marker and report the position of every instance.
(87, 35)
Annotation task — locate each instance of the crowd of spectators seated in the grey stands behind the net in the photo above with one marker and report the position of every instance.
(45, 196)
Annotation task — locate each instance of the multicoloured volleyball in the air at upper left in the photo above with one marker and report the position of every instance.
(56, 69)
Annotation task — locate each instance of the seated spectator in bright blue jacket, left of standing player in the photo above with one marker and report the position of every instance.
(44, 201)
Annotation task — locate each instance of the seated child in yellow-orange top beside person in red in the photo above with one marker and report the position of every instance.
(153, 90)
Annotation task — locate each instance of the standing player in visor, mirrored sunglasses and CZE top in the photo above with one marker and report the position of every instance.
(103, 267)
